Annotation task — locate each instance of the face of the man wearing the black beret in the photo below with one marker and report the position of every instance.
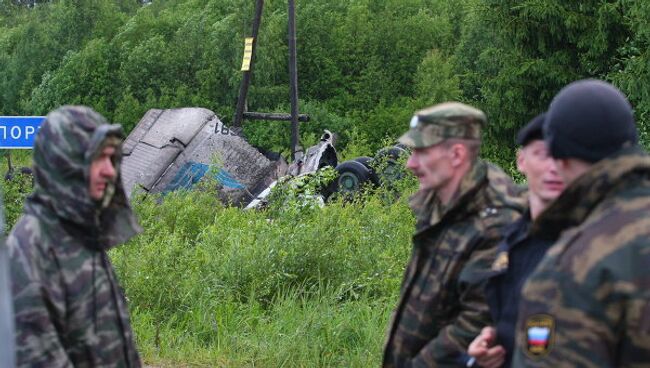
(536, 163)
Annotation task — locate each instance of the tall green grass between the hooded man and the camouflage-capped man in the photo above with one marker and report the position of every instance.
(210, 285)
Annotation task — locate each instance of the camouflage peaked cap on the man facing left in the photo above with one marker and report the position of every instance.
(443, 121)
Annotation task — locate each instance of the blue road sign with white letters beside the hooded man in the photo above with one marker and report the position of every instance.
(18, 132)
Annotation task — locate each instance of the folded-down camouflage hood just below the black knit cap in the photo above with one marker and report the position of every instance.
(578, 200)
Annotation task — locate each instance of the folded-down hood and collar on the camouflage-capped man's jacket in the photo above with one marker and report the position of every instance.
(429, 211)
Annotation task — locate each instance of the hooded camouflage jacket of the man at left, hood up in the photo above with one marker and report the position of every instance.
(70, 310)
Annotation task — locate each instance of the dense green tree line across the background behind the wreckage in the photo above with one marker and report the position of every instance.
(364, 65)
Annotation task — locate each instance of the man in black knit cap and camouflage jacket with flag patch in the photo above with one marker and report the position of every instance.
(587, 304)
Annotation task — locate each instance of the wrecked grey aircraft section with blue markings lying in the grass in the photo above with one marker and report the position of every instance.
(176, 148)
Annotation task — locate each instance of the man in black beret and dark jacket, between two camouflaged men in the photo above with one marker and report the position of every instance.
(520, 251)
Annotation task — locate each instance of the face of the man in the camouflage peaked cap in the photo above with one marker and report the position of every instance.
(432, 166)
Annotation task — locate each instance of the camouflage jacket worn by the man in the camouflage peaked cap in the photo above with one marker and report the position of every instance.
(442, 306)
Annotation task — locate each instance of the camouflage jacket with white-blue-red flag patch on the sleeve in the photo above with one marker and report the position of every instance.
(588, 302)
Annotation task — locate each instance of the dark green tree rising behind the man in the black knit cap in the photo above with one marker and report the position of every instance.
(542, 45)
